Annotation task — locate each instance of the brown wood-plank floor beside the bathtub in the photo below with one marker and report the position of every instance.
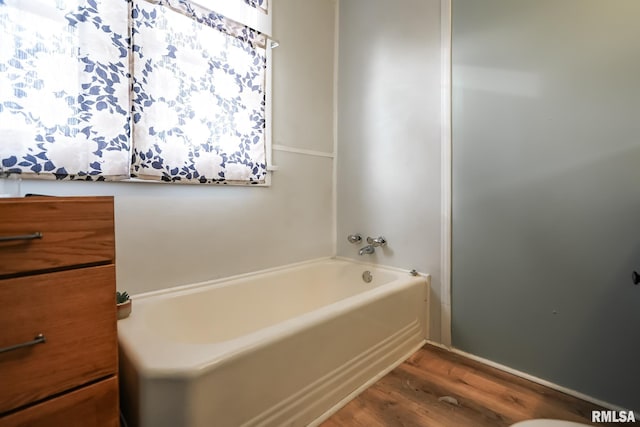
(437, 388)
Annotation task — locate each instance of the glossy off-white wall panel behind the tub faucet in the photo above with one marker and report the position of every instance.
(389, 134)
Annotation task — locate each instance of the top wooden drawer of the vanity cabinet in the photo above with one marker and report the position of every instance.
(72, 230)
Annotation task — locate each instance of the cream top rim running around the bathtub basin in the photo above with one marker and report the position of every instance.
(218, 356)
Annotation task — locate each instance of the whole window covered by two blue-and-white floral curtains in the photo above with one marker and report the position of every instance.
(195, 112)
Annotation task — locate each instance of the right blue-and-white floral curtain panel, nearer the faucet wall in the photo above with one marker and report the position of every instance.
(198, 95)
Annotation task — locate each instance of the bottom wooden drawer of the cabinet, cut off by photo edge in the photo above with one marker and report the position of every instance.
(92, 406)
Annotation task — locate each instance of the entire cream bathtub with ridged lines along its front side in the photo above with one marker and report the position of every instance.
(282, 347)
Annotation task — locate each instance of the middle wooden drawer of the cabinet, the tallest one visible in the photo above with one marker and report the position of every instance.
(75, 310)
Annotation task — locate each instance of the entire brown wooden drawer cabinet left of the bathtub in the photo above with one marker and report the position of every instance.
(58, 339)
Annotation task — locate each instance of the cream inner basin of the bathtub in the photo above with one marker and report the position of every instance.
(241, 306)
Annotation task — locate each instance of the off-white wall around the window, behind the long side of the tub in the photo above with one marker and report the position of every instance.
(168, 235)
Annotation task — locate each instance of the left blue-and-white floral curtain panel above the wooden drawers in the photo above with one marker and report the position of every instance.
(64, 88)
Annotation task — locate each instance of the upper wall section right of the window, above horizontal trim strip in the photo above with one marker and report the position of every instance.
(303, 113)
